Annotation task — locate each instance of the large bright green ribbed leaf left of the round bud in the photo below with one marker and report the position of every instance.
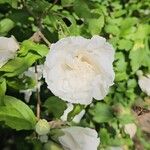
(17, 114)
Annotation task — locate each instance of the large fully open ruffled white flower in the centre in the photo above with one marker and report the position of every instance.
(78, 69)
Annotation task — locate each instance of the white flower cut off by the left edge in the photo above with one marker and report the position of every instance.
(8, 48)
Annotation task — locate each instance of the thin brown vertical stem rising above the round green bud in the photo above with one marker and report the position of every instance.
(37, 94)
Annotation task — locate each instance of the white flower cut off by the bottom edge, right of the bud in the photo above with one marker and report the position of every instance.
(79, 138)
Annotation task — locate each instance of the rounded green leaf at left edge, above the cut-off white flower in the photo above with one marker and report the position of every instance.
(5, 26)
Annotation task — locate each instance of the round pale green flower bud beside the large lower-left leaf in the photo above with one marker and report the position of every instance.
(42, 127)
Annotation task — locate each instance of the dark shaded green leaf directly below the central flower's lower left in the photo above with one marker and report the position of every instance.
(55, 106)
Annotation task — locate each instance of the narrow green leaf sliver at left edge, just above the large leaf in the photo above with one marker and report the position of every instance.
(2, 91)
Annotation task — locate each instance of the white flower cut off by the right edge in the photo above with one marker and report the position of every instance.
(144, 83)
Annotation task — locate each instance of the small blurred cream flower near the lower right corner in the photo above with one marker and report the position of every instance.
(130, 129)
